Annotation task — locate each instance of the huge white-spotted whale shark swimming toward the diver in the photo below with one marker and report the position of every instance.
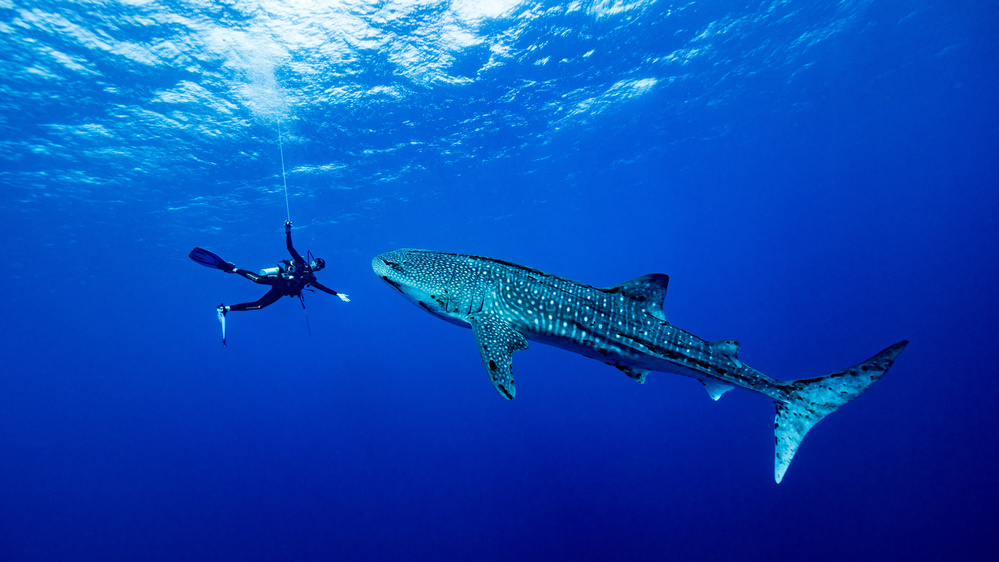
(506, 304)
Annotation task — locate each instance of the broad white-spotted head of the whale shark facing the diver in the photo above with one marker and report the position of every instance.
(422, 276)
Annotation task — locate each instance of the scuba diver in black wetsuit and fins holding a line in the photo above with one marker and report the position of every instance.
(289, 278)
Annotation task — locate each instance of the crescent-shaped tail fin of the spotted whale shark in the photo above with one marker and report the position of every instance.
(810, 400)
